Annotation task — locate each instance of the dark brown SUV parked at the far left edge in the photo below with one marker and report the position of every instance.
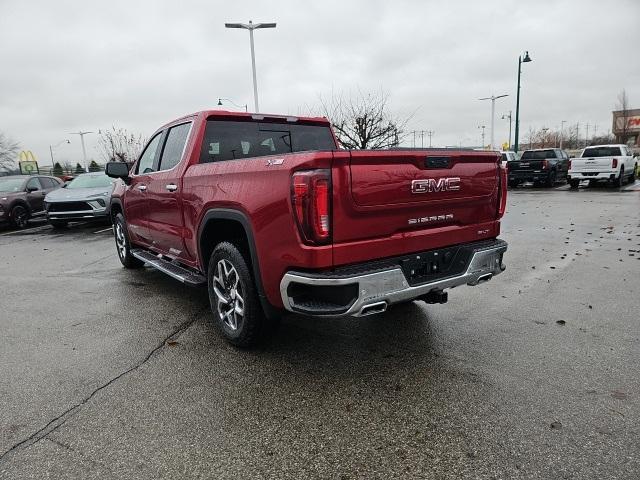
(22, 197)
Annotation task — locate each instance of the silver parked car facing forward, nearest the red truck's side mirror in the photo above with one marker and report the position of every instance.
(86, 197)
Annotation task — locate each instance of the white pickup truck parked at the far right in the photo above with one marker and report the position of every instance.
(610, 163)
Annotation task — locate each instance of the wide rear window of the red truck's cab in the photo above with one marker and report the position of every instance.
(233, 140)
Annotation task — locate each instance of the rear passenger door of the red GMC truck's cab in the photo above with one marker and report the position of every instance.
(164, 195)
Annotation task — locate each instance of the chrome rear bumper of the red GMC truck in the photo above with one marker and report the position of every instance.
(378, 289)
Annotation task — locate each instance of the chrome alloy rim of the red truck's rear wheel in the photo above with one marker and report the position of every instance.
(228, 290)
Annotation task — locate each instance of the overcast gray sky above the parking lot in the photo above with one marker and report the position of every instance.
(71, 65)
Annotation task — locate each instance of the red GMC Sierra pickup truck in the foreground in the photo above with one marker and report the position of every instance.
(272, 215)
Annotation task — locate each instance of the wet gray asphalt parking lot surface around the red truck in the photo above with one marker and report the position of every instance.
(110, 373)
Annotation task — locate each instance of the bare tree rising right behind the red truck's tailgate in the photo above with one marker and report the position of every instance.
(363, 120)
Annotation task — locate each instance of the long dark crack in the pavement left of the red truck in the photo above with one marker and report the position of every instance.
(60, 420)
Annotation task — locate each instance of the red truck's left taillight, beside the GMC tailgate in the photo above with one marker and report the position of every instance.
(311, 200)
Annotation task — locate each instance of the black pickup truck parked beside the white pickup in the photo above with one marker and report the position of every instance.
(541, 166)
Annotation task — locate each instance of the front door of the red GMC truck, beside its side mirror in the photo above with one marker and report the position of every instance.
(135, 199)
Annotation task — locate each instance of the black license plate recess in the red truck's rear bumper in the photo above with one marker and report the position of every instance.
(435, 264)
